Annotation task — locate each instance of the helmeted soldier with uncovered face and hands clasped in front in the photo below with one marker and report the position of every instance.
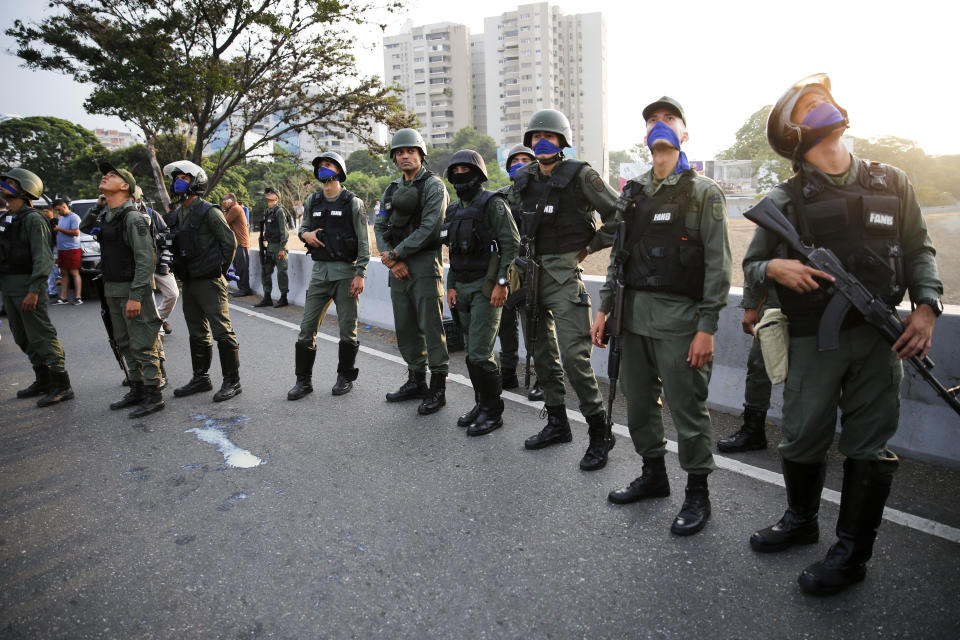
(408, 238)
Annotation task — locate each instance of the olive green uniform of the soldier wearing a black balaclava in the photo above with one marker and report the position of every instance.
(479, 319)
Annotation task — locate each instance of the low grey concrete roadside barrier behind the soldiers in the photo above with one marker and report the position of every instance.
(929, 429)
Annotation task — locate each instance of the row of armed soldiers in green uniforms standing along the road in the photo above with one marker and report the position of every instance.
(668, 280)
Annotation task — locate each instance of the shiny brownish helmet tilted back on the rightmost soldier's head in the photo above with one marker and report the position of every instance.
(792, 140)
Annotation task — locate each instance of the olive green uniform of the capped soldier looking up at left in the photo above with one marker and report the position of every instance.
(137, 338)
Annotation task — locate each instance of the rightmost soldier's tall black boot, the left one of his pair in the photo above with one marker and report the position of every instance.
(799, 523)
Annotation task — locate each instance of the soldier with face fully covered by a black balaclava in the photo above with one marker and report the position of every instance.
(483, 241)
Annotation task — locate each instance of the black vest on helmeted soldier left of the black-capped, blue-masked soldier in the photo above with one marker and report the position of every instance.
(562, 221)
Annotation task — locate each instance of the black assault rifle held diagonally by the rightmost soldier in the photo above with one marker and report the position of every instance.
(846, 292)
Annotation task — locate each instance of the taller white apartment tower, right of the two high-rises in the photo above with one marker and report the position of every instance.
(537, 58)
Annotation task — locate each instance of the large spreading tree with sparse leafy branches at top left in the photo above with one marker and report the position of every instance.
(216, 70)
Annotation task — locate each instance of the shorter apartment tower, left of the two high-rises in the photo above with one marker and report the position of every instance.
(432, 66)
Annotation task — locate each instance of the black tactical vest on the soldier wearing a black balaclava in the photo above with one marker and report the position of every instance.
(471, 244)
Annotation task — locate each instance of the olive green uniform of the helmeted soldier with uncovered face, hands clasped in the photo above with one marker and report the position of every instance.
(418, 300)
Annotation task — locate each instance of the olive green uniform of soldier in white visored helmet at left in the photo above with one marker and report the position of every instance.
(205, 305)
